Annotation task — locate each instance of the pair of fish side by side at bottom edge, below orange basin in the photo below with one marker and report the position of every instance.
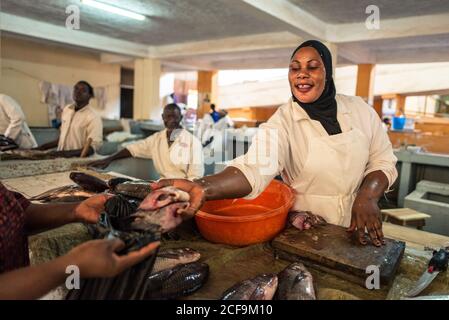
(295, 282)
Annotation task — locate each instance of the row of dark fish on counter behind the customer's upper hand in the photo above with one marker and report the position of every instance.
(88, 185)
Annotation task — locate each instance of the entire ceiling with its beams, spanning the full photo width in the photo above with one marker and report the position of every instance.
(217, 34)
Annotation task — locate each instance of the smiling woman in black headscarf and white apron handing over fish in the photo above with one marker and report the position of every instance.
(330, 148)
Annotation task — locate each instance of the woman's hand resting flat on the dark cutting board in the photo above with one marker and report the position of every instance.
(366, 214)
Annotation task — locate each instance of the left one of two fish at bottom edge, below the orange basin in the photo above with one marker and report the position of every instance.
(262, 287)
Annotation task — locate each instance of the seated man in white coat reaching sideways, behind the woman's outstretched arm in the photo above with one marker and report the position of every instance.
(176, 153)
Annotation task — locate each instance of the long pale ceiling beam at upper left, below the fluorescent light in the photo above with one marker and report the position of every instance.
(46, 31)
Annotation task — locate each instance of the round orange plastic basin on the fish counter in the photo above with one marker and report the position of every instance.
(242, 222)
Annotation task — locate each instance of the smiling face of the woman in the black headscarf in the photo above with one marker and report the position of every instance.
(307, 75)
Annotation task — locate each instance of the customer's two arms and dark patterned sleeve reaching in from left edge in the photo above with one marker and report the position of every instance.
(19, 218)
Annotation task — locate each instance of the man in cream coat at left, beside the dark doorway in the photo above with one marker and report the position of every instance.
(79, 123)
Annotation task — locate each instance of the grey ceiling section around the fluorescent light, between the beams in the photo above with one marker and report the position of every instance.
(169, 21)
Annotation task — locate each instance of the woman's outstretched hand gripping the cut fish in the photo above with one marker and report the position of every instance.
(195, 190)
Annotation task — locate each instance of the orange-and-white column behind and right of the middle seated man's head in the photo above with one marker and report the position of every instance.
(207, 91)
